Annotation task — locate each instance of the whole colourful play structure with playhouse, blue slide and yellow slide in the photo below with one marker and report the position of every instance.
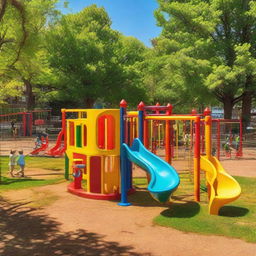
(101, 145)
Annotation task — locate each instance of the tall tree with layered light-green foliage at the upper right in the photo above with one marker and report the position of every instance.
(214, 44)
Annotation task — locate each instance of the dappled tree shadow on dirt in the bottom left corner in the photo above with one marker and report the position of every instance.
(24, 231)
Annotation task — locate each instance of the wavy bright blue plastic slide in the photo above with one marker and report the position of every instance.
(164, 178)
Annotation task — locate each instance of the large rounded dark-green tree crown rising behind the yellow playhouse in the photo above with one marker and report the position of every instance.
(92, 61)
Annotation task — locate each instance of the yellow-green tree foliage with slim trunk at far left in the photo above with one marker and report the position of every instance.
(22, 58)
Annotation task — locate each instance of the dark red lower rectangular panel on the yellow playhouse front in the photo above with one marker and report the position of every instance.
(95, 174)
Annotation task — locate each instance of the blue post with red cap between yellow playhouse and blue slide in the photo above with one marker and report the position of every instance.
(123, 157)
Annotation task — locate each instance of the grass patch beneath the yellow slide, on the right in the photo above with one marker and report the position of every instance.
(237, 219)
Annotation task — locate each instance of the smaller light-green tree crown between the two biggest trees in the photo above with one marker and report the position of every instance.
(173, 78)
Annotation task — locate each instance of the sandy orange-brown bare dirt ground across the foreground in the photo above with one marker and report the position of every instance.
(49, 221)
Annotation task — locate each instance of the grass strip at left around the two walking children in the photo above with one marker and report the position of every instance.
(53, 164)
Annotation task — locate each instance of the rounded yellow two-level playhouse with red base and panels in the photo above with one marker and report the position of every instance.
(93, 142)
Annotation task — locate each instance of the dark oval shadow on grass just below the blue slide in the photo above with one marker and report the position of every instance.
(186, 209)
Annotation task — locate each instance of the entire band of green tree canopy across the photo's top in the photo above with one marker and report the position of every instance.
(205, 55)
